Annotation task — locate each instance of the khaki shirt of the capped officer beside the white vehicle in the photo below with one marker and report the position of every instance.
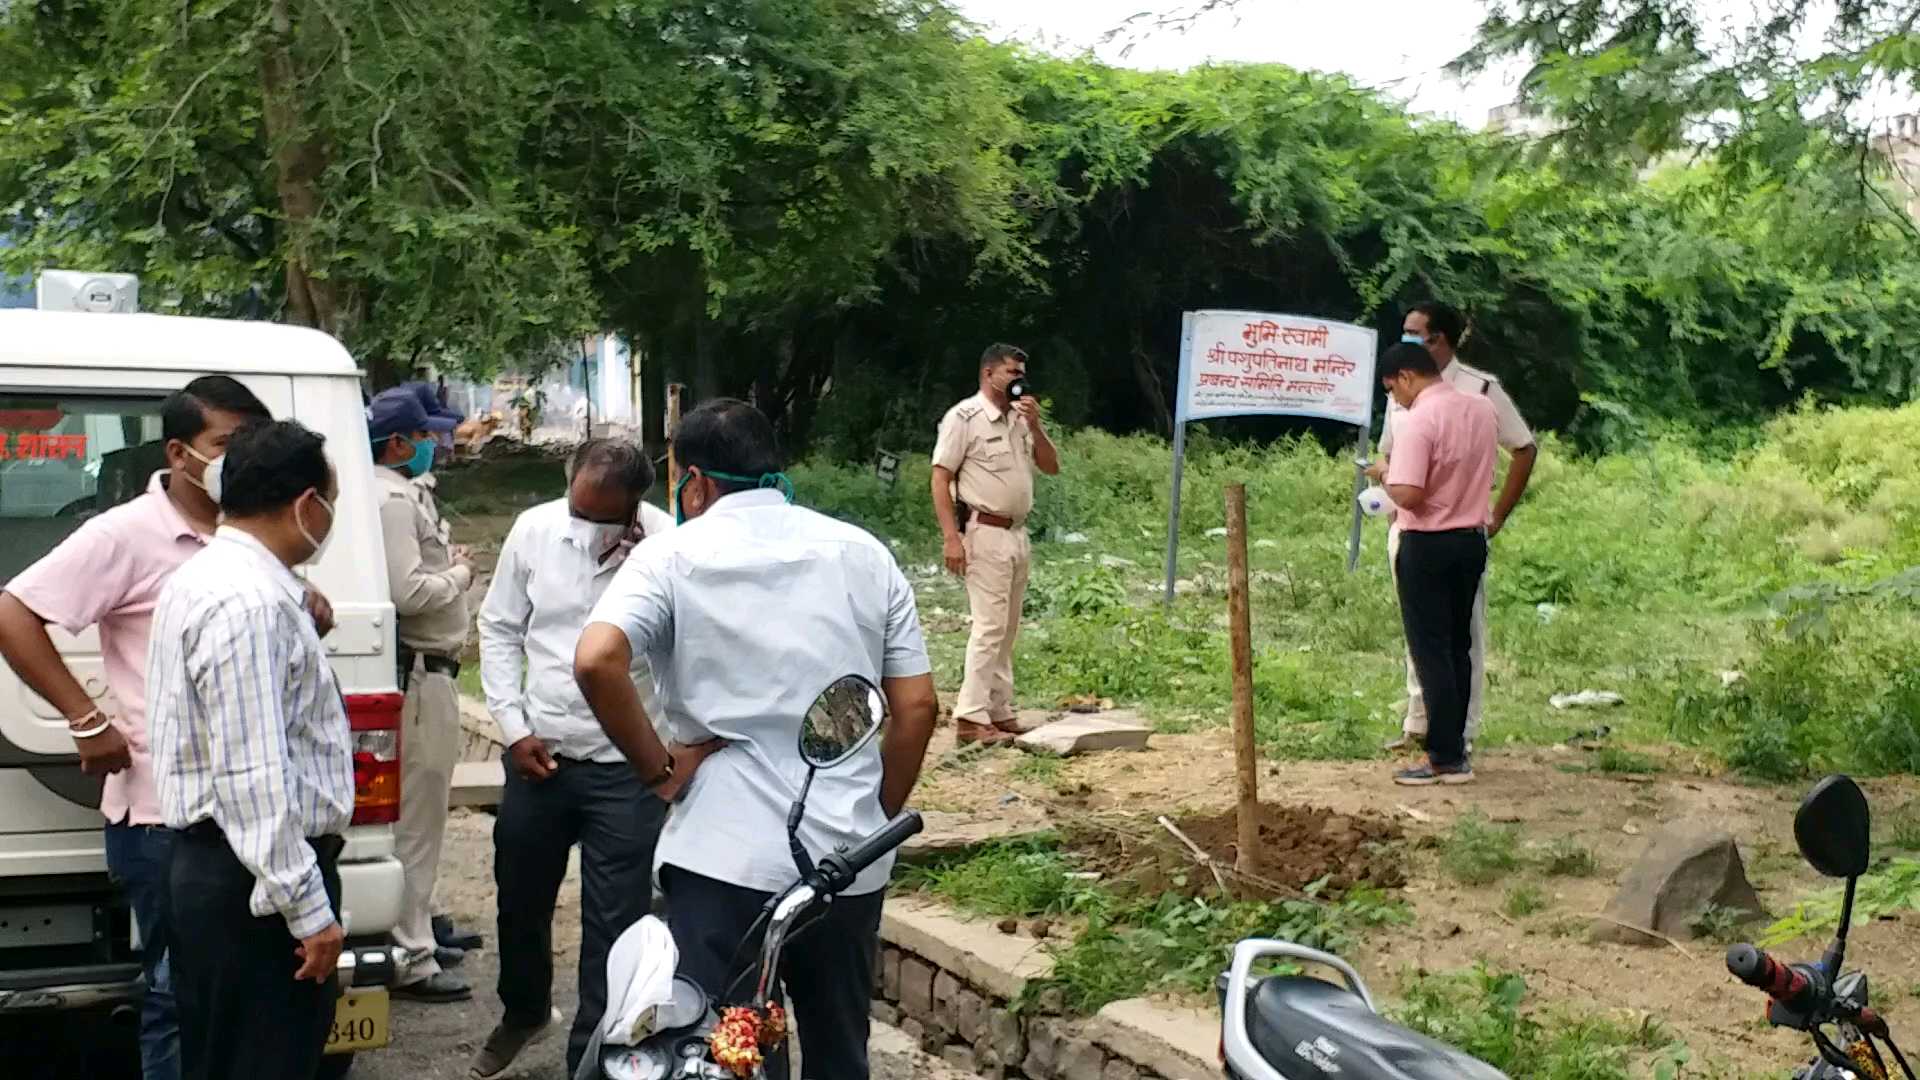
(429, 591)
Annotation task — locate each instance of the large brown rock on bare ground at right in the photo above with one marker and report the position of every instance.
(1687, 868)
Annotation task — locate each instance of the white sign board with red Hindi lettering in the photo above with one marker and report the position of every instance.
(1257, 364)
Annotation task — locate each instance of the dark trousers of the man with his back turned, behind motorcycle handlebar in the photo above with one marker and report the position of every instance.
(827, 970)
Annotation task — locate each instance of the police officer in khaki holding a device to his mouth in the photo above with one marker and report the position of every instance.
(984, 462)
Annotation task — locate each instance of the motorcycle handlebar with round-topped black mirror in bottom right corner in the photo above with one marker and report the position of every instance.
(1835, 829)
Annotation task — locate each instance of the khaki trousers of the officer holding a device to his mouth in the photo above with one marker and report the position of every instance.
(996, 587)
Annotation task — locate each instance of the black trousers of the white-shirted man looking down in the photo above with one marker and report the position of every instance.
(615, 822)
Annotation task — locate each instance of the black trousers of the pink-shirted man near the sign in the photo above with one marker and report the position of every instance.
(1439, 576)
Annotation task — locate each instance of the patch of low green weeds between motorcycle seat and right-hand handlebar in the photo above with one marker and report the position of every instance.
(1483, 1014)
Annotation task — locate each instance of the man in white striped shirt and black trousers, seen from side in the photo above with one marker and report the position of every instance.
(254, 770)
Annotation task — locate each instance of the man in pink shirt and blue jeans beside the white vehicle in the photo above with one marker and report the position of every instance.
(110, 576)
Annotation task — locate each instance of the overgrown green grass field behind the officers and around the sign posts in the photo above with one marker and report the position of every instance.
(1660, 568)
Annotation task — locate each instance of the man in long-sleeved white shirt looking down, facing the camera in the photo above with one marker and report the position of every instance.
(565, 779)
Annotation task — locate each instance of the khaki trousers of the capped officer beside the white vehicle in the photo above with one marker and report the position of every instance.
(429, 749)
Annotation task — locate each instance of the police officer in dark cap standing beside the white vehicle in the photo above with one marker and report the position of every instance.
(429, 579)
